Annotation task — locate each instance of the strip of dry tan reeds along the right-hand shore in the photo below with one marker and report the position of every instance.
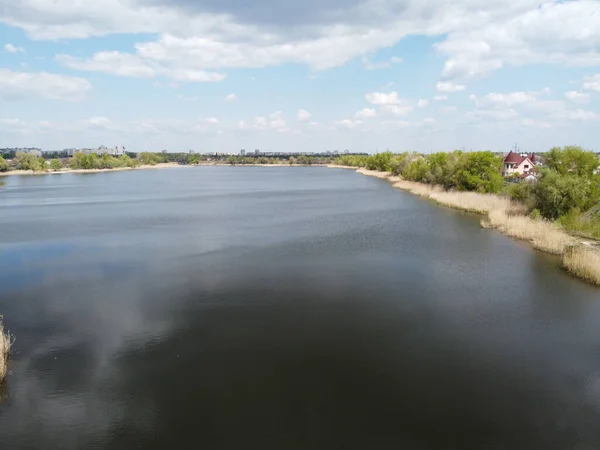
(580, 258)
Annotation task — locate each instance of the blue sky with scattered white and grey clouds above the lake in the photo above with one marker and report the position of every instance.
(316, 75)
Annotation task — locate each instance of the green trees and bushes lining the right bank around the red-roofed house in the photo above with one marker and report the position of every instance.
(567, 187)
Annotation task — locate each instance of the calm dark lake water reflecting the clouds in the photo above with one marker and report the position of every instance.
(283, 308)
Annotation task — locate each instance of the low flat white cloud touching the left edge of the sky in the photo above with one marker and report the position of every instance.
(17, 85)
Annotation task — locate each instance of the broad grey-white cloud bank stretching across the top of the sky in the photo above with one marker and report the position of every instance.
(206, 37)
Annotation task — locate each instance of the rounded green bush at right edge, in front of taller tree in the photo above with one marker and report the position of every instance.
(558, 194)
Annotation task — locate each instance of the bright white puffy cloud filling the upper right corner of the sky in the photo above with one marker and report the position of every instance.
(552, 32)
